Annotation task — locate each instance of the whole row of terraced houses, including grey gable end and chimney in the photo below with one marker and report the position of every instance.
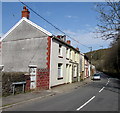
(49, 60)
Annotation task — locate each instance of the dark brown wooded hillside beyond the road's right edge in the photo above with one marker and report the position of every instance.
(106, 60)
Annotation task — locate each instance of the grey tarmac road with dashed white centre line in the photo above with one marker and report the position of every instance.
(100, 95)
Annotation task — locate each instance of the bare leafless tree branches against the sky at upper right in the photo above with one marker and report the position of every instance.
(109, 20)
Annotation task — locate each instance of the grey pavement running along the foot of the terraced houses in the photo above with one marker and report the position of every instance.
(29, 96)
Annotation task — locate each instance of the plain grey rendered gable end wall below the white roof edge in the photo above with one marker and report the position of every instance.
(24, 46)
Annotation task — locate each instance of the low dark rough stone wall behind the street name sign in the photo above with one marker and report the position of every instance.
(8, 78)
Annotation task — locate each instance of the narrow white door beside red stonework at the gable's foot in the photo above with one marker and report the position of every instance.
(33, 77)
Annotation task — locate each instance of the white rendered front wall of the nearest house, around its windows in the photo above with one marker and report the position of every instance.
(55, 59)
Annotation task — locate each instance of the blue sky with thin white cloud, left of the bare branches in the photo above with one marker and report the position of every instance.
(77, 19)
